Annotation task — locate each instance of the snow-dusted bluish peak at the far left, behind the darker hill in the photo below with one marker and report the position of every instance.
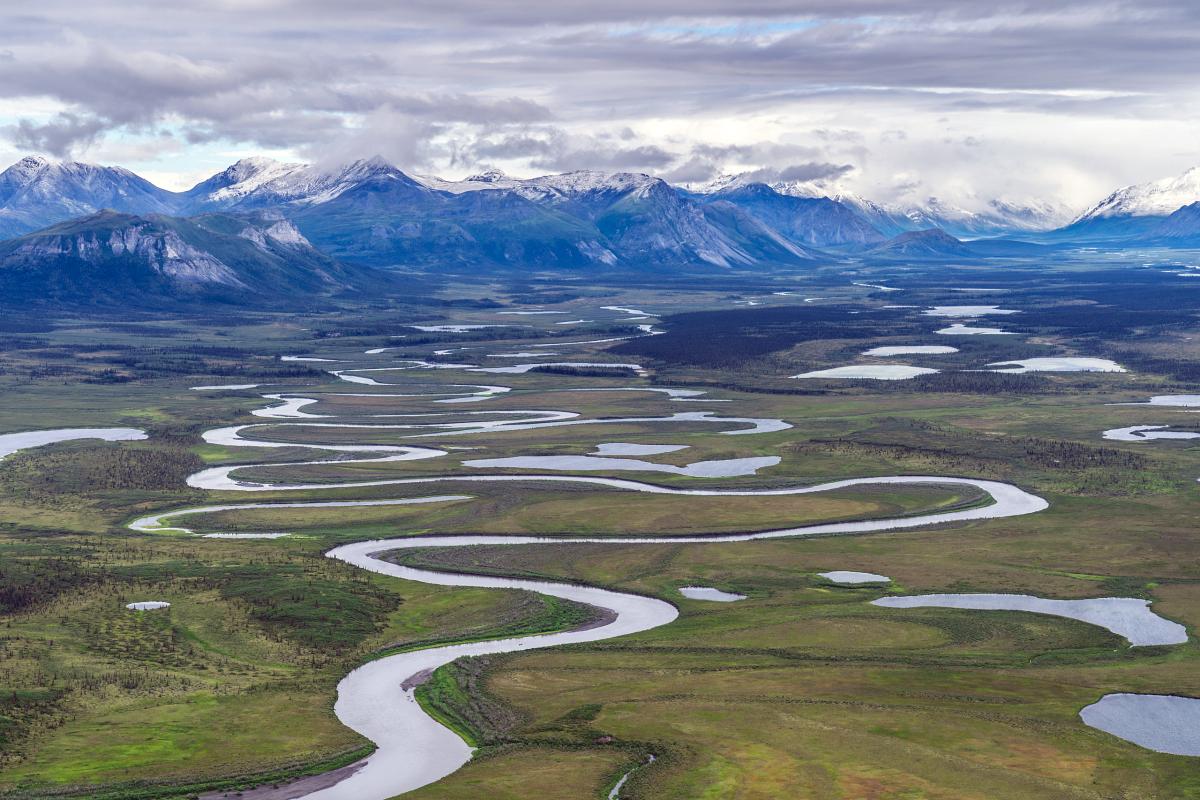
(37, 193)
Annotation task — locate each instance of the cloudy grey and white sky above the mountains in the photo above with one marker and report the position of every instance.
(899, 101)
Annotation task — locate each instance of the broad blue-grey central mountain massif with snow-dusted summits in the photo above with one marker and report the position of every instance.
(571, 220)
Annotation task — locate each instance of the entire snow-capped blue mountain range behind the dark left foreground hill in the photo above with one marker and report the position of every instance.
(370, 212)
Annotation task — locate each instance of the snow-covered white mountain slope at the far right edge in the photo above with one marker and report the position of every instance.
(1137, 212)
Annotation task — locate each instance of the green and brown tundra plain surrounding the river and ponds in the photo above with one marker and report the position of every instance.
(802, 690)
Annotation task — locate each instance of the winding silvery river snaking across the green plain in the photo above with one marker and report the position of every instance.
(377, 700)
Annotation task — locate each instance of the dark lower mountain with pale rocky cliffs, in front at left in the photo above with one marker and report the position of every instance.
(128, 261)
